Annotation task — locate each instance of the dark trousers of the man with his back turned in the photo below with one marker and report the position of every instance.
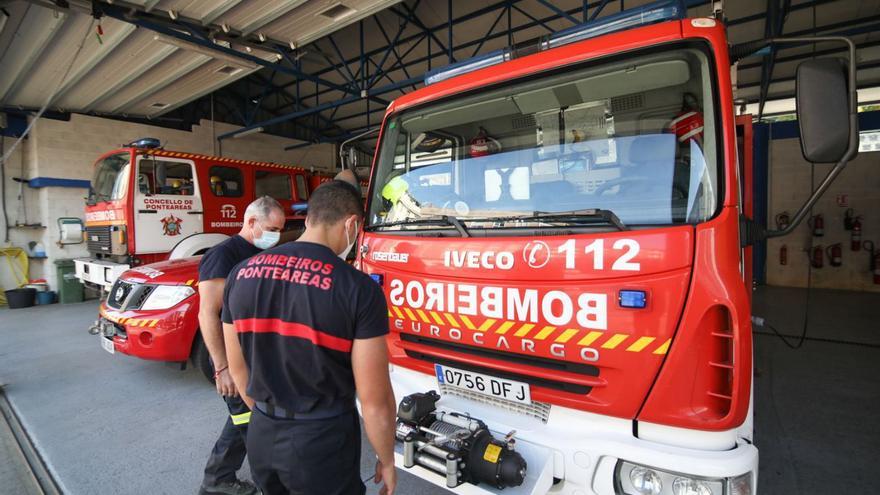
(306, 457)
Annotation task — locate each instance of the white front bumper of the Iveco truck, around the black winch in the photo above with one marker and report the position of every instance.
(579, 449)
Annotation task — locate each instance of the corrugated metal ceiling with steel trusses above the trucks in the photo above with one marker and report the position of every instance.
(136, 72)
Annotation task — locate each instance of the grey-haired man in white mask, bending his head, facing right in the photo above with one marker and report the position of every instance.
(263, 220)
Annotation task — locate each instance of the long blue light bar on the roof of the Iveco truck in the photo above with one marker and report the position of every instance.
(651, 13)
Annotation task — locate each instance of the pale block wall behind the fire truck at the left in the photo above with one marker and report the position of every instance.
(68, 149)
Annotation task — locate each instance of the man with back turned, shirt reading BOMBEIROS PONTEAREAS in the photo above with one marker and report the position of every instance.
(305, 333)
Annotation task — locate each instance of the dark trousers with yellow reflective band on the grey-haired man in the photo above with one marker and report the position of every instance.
(230, 449)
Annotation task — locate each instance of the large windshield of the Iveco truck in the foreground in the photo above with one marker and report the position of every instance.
(635, 137)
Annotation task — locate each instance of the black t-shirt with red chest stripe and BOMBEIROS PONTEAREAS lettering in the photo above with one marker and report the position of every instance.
(297, 309)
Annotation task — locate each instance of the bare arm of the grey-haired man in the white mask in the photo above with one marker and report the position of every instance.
(210, 304)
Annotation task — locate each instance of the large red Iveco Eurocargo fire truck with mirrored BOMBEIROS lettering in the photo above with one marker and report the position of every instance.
(562, 231)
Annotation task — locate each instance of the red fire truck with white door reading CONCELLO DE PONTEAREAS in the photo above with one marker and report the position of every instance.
(148, 204)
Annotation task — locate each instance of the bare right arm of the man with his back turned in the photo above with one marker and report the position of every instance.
(369, 360)
